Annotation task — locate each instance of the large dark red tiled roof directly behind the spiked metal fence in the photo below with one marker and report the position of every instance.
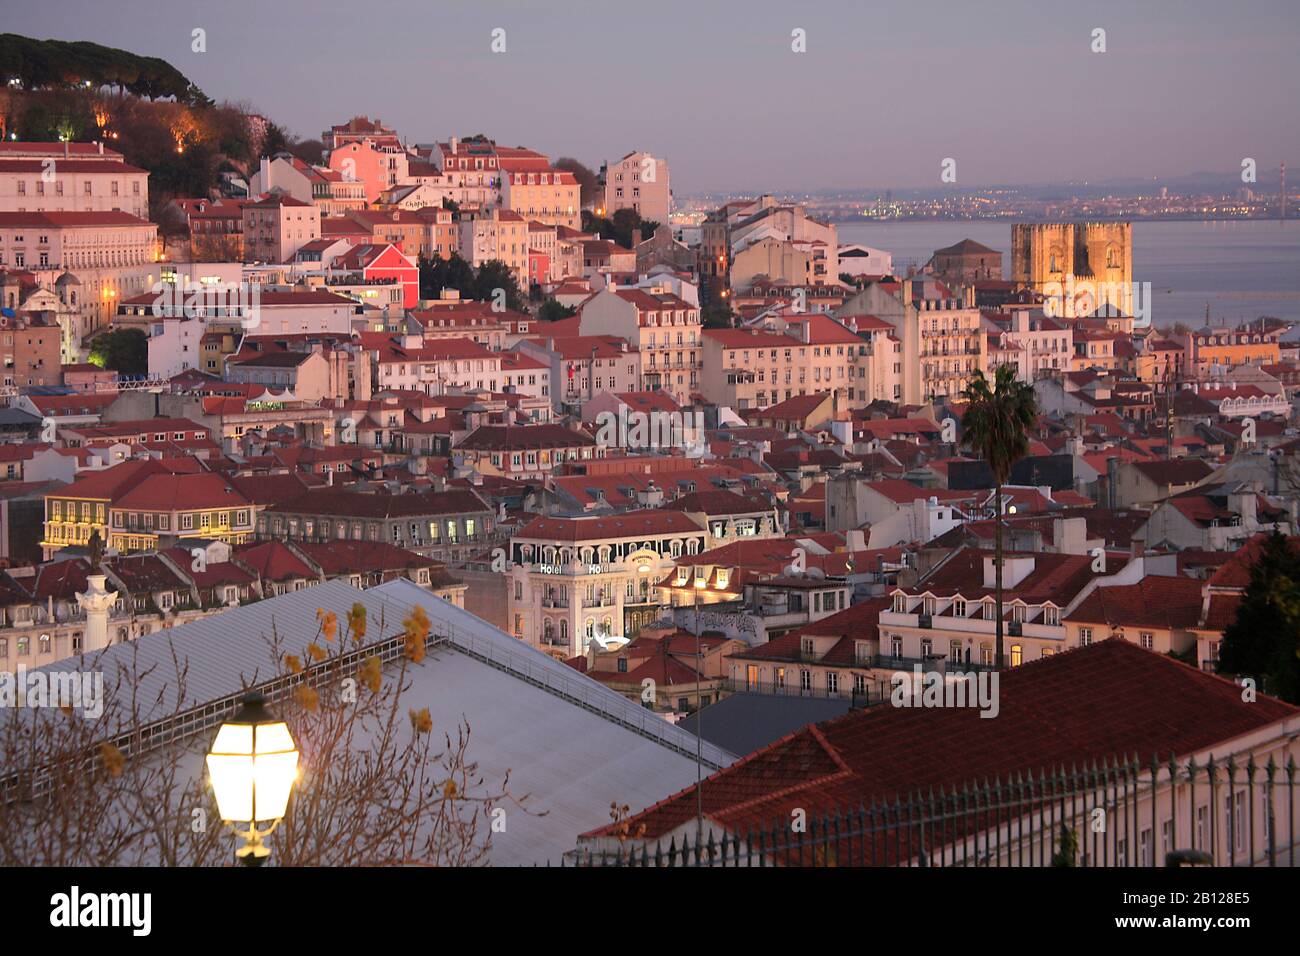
(1095, 703)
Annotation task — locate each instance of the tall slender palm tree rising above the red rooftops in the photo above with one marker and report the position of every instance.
(995, 427)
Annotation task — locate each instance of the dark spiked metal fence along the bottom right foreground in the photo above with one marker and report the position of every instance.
(1113, 814)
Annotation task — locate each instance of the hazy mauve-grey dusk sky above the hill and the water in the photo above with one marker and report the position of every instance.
(885, 93)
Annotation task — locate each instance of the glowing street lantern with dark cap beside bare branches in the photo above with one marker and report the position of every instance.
(253, 767)
